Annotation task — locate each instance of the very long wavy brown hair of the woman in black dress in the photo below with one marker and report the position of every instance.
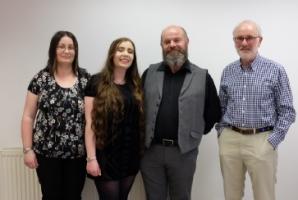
(109, 104)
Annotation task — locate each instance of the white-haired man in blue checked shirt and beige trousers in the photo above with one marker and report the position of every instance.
(257, 108)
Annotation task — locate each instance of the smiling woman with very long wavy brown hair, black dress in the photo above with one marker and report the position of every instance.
(114, 122)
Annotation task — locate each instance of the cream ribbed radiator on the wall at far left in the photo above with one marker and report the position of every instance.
(17, 182)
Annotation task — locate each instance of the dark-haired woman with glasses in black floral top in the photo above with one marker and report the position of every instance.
(53, 122)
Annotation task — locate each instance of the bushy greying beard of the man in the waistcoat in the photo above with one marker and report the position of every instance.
(175, 58)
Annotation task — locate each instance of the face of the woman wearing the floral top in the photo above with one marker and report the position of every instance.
(65, 51)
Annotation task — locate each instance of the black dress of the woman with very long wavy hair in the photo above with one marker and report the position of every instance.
(120, 156)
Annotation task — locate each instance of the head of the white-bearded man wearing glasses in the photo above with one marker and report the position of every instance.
(247, 40)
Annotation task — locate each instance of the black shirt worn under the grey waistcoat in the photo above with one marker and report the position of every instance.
(168, 116)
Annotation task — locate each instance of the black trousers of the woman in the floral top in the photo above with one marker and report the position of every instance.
(61, 179)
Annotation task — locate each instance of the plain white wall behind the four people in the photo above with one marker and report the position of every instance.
(27, 26)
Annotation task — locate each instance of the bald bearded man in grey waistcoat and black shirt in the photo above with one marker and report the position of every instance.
(181, 105)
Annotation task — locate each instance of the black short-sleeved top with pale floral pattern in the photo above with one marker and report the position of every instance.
(60, 121)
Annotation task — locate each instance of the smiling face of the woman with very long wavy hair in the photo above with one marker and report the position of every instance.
(124, 55)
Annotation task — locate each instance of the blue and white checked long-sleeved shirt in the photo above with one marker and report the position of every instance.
(257, 97)
